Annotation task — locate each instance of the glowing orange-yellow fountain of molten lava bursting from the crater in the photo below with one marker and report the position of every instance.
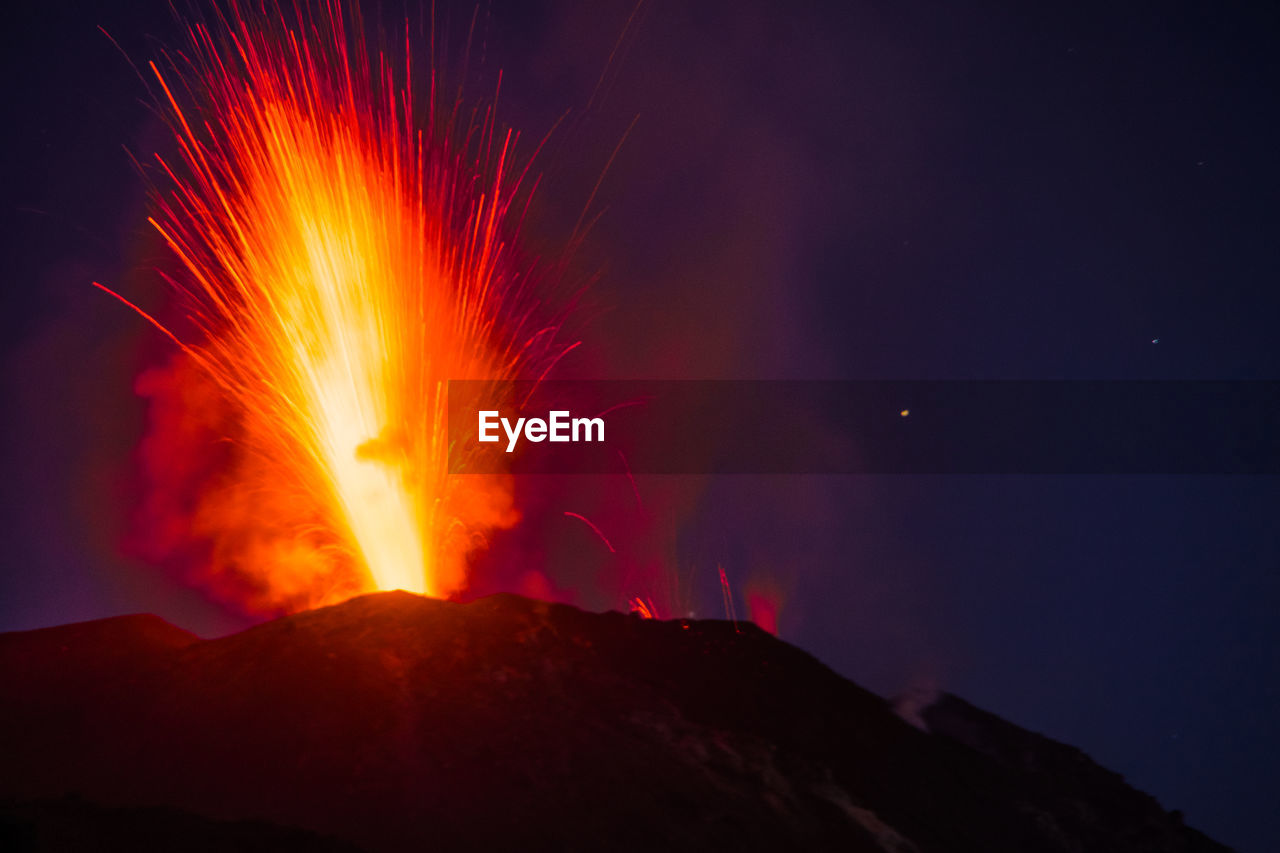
(344, 262)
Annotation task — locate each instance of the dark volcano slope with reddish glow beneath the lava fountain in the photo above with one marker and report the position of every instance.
(395, 723)
